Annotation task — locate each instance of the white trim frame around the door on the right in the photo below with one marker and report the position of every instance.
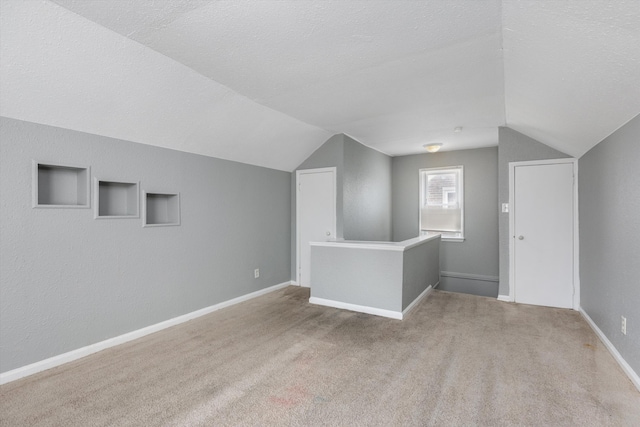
(576, 237)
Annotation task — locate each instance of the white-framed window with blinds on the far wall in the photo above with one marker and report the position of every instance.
(442, 202)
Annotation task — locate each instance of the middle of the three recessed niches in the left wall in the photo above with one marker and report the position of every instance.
(116, 199)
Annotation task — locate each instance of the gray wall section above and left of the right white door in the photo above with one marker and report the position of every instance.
(513, 147)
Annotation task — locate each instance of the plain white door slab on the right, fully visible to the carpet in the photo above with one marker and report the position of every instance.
(543, 234)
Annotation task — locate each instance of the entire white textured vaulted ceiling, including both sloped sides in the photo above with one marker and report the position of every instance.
(267, 82)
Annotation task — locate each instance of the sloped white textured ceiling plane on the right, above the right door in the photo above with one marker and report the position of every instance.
(572, 69)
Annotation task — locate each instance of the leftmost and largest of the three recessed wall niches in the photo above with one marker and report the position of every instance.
(60, 186)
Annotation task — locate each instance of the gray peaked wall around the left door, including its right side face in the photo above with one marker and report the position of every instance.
(363, 180)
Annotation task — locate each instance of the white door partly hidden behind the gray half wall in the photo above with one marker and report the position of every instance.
(315, 213)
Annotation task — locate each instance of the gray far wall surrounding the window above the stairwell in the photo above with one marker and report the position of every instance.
(478, 254)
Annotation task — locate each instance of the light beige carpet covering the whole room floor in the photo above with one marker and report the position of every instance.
(457, 360)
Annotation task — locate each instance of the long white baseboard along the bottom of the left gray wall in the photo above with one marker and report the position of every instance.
(72, 355)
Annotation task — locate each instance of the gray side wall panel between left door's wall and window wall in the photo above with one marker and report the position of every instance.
(366, 193)
